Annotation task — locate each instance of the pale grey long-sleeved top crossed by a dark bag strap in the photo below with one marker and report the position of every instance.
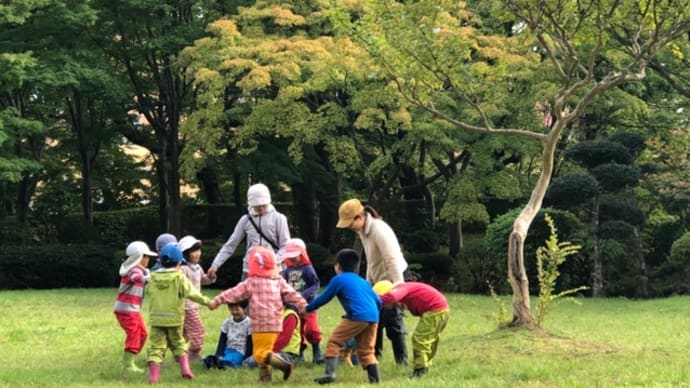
(272, 224)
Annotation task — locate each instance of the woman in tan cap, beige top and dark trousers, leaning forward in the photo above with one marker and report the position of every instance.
(385, 261)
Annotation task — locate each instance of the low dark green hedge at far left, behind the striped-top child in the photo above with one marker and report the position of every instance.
(59, 266)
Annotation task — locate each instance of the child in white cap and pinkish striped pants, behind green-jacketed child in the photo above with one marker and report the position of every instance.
(193, 326)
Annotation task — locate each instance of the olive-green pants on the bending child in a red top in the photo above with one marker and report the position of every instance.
(426, 337)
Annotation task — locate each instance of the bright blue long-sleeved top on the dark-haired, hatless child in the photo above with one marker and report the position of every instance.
(358, 299)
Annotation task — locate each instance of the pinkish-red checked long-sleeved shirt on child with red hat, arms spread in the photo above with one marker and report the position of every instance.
(266, 296)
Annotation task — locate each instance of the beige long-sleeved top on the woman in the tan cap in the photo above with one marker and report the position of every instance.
(385, 260)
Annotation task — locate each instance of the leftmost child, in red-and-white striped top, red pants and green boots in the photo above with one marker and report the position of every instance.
(133, 277)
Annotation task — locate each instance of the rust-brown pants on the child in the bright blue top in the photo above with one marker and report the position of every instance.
(364, 334)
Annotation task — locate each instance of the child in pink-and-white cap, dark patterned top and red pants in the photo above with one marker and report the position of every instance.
(300, 274)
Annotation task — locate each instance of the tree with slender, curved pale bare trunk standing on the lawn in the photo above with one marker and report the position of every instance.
(439, 58)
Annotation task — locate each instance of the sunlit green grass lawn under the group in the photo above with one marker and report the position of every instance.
(71, 338)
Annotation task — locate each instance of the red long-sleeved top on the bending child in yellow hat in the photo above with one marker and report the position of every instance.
(418, 298)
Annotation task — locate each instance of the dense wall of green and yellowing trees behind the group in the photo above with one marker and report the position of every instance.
(122, 120)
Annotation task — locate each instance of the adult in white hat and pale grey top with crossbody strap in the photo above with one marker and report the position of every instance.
(262, 225)
